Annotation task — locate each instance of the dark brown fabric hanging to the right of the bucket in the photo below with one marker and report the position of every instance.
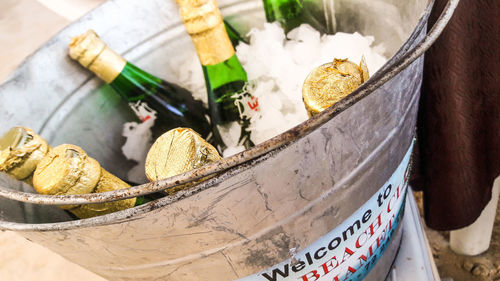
(458, 129)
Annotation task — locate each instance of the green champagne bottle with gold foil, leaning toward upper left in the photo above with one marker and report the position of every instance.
(148, 96)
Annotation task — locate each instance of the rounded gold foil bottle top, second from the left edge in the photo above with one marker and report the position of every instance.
(65, 170)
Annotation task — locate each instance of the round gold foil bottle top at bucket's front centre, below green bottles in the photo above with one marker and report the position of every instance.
(177, 151)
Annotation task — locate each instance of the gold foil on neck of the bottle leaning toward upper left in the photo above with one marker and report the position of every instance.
(91, 52)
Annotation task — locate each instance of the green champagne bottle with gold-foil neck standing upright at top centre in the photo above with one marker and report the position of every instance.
(225, 78)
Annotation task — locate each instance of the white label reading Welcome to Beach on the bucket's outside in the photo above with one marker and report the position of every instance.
(350, 250)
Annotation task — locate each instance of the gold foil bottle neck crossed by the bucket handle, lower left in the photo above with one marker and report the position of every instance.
(107, 182)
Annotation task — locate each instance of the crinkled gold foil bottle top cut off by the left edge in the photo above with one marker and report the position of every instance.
(21, 150)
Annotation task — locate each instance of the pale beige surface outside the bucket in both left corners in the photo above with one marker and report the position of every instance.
(24, 26)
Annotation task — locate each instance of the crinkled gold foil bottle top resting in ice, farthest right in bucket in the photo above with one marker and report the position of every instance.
(331, 82)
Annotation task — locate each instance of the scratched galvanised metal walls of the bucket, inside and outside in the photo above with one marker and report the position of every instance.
(246, 218)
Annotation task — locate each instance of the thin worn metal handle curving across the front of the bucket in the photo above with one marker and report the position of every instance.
(217, 167)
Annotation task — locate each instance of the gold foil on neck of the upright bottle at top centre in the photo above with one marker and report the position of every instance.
(203, 22)
